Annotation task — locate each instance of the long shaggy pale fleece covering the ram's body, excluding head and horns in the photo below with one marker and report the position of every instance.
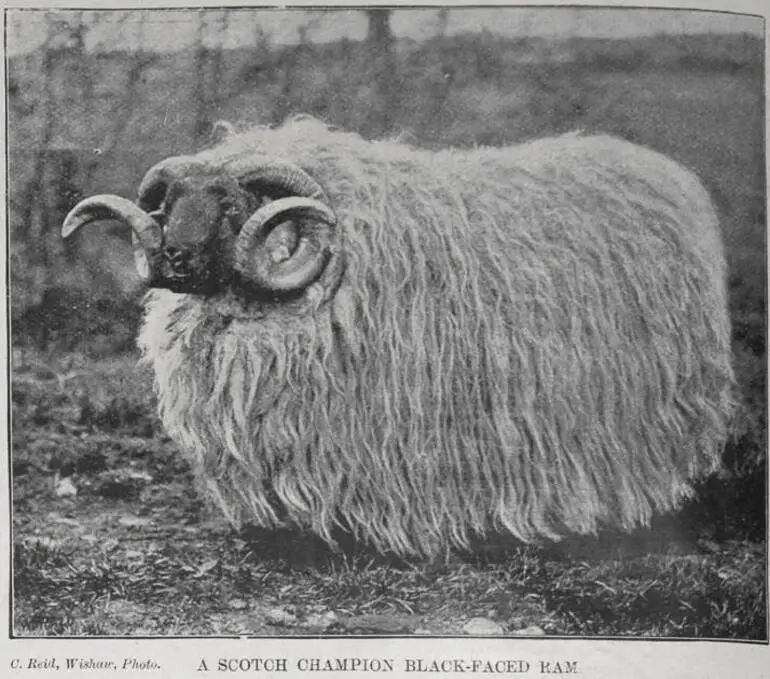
(532, 340)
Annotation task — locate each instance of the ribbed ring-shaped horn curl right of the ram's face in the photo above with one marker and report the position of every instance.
(315, 231)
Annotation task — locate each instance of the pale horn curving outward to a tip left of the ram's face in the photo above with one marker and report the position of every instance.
(146, 233)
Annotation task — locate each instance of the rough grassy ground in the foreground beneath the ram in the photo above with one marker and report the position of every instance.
(107, 560)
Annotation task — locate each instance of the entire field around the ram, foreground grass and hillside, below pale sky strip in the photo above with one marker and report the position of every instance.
(105, 516)
